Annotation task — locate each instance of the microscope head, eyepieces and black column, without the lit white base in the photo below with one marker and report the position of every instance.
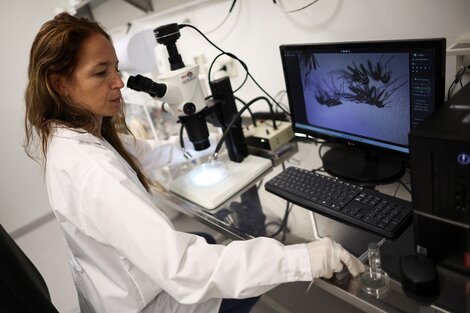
(181, 92)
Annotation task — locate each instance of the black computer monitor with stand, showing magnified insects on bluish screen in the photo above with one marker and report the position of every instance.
(365, 97)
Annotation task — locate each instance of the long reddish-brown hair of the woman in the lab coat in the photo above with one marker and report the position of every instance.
(55, 53)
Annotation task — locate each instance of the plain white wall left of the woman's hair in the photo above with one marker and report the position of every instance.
(23, 197)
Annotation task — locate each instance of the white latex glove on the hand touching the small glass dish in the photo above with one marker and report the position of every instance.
(328, 257)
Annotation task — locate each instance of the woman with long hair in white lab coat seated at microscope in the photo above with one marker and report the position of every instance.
(124, 253)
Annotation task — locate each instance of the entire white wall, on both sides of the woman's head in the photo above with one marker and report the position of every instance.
(254, 32)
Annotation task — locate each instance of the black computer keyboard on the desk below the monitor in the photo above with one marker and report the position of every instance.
(361, 207)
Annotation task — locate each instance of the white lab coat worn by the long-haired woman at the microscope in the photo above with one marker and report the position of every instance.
(125, 254)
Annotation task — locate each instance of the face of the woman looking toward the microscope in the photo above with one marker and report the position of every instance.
(95, 84)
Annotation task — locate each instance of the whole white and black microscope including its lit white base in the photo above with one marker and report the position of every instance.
(210, 184)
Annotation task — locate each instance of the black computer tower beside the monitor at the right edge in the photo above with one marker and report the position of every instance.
(440, 180)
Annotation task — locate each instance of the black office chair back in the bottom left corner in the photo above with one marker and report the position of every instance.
(22, 288)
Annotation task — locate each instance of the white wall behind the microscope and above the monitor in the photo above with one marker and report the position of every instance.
(257, 28)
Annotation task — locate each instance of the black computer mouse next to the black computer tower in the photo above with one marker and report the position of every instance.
(419, 278)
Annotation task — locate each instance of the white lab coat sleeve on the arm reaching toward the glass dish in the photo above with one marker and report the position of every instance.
(184, 265)
